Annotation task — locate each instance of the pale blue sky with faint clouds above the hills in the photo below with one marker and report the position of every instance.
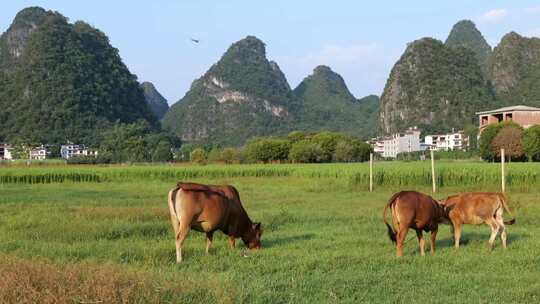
(361, 41)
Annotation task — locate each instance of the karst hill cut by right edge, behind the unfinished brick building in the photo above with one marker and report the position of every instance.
(514, 60)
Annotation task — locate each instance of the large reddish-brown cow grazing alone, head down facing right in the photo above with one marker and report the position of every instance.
(208, 208)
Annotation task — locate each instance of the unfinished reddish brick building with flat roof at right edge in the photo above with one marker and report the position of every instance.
(524, 116)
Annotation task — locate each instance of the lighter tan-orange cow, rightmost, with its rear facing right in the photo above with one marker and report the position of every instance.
(477, 208)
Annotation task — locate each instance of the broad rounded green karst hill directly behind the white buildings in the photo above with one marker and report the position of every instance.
(433, 86)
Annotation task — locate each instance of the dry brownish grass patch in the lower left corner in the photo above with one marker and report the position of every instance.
(23, 281)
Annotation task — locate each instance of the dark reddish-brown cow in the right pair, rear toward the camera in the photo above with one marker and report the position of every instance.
(411, 209)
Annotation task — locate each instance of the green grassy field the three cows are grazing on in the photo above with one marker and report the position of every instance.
(324, 242)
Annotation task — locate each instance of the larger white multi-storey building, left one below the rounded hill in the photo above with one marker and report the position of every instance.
(391, 146)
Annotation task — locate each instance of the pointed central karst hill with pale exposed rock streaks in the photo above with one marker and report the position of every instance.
(241, 96)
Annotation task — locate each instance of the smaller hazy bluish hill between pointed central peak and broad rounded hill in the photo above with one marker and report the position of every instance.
(325, 103)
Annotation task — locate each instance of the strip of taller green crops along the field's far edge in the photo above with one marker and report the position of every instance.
(386, 174)
